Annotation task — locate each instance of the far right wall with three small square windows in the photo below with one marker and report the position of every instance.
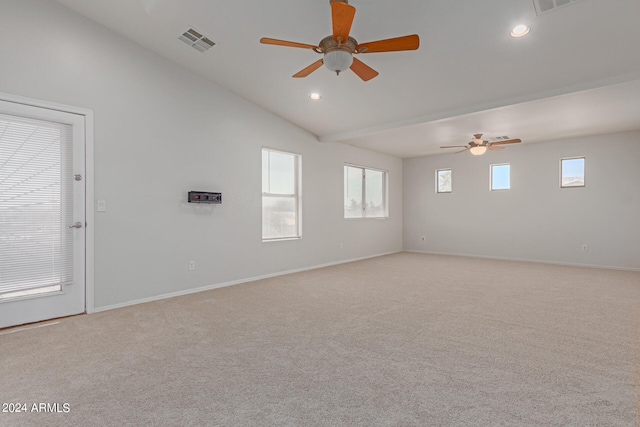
(536, 220)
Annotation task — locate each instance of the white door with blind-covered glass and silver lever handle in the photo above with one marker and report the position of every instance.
(42, 214)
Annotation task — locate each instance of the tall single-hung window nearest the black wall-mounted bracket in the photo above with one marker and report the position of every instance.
(280, 195)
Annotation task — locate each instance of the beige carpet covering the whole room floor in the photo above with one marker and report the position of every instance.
(401, 340)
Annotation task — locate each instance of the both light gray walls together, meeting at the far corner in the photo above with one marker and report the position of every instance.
(161, 131)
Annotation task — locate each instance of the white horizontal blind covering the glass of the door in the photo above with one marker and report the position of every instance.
(36, 205)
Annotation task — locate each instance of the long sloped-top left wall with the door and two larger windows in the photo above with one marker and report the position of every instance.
(161, 131)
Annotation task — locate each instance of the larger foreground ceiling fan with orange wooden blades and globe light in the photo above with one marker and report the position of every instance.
(338, 49)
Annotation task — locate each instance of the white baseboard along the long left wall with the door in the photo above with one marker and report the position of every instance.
(231, 283)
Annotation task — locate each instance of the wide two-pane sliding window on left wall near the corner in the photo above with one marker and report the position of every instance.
(365, 192)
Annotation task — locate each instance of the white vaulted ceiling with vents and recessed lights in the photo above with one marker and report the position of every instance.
(577, 73)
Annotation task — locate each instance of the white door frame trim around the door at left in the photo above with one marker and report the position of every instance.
(88, 182)
